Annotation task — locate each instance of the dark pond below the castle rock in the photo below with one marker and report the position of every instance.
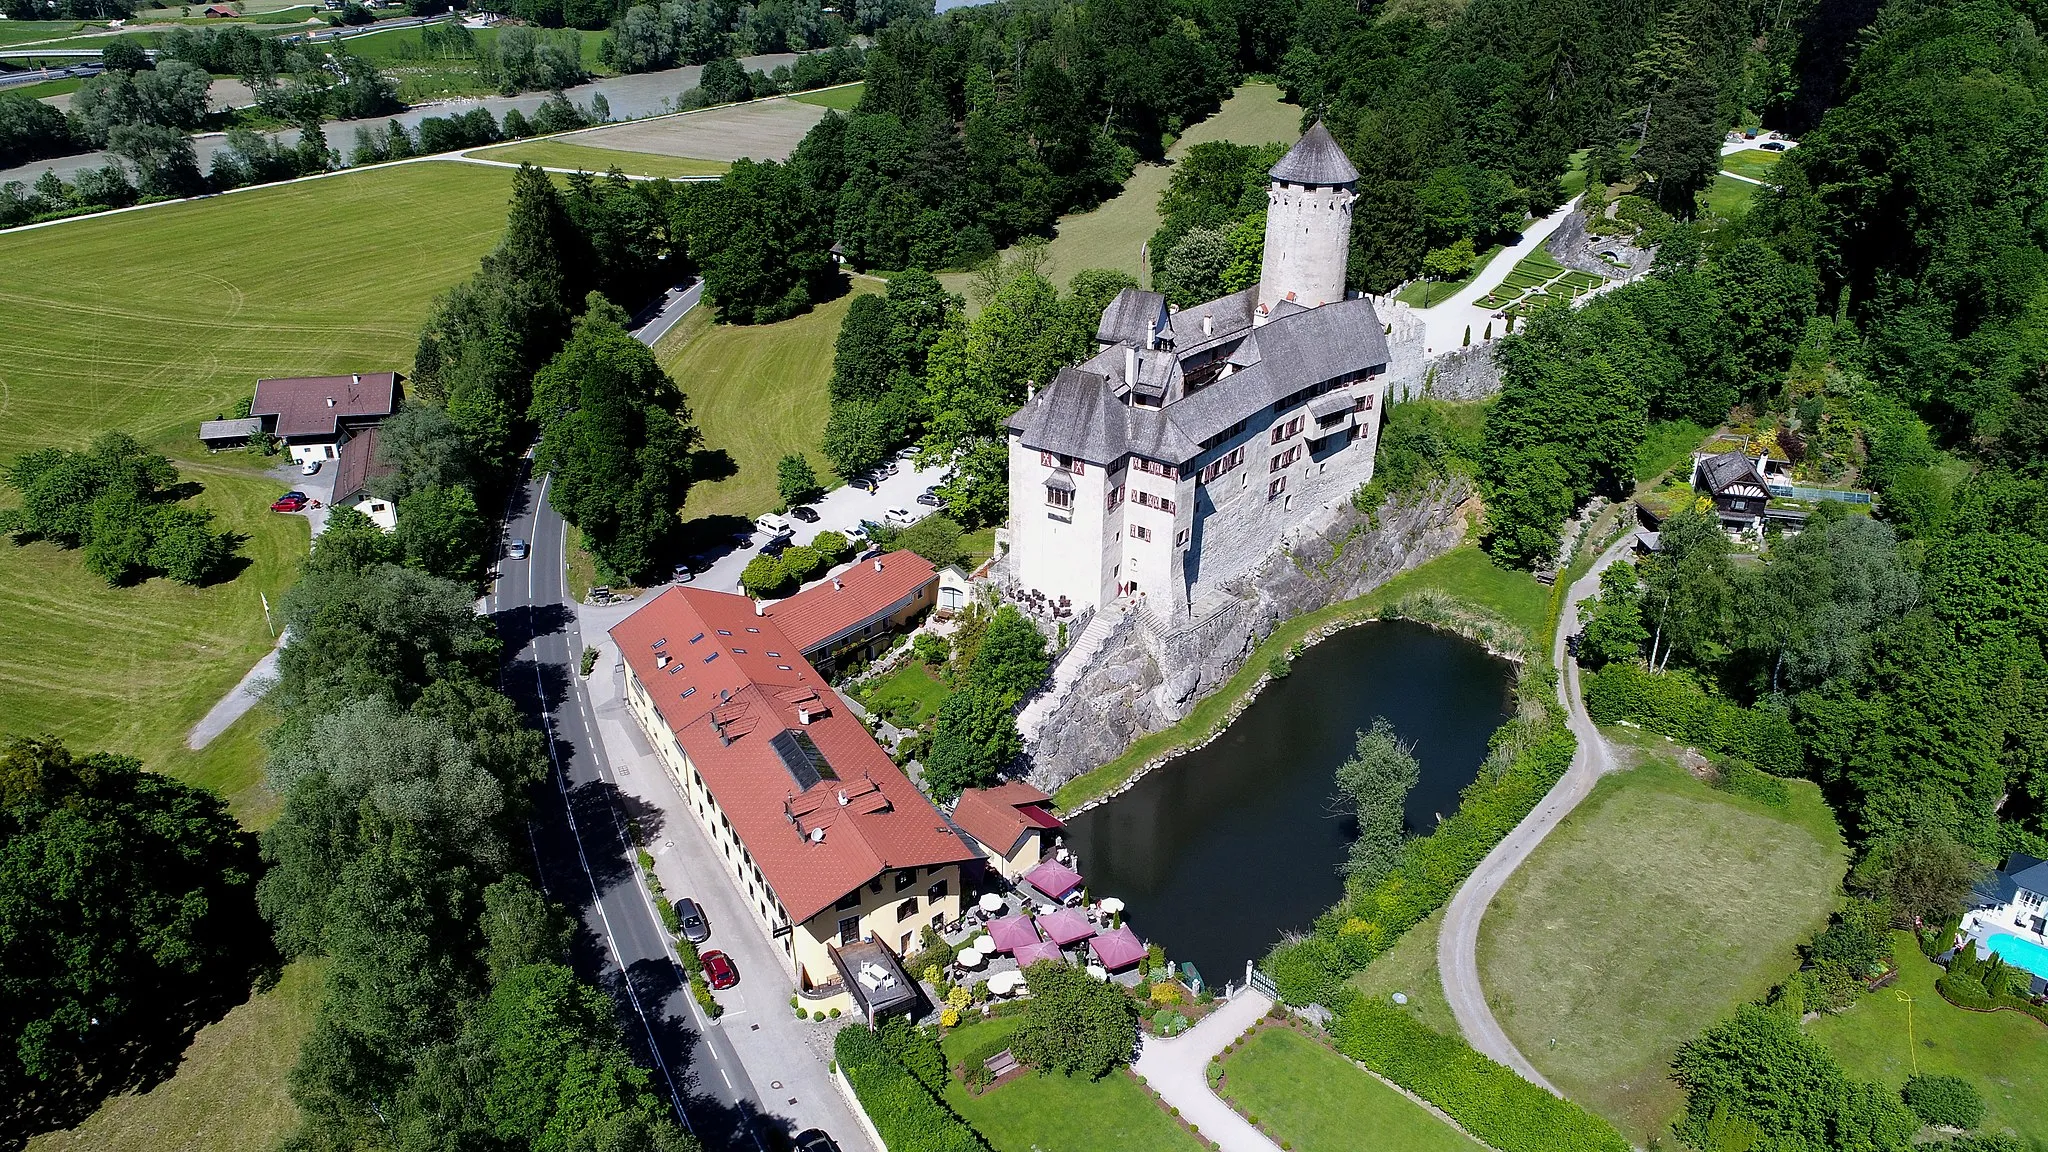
(1222, 852)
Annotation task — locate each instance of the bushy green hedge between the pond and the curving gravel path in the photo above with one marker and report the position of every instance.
(1367, 923)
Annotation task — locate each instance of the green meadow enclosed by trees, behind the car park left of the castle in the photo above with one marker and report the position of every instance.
(759, 395)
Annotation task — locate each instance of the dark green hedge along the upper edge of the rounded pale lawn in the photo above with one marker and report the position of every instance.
(1678, 706)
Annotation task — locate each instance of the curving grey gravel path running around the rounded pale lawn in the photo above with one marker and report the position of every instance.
(1457, 944)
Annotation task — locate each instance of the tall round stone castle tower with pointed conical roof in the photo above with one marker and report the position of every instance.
(1308, 222)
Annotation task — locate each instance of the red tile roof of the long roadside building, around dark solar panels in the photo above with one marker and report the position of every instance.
(732, 684)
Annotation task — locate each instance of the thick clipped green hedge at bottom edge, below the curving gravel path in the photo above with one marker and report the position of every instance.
(1492, 1102)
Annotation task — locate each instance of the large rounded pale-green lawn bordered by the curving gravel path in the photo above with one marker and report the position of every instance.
(1646, 917)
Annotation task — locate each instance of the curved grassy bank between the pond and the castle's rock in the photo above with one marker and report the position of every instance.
(1459, 591)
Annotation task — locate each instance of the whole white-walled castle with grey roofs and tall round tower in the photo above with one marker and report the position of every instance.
(1179, 456)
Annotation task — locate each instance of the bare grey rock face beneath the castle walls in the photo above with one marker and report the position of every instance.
(1150, 675)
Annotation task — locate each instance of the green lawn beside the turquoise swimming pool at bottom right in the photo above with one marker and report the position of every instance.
(2002, 1055)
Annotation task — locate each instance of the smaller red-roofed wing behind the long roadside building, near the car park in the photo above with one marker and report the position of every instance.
(859, 612)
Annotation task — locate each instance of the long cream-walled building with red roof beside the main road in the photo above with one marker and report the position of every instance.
(828, 841)
